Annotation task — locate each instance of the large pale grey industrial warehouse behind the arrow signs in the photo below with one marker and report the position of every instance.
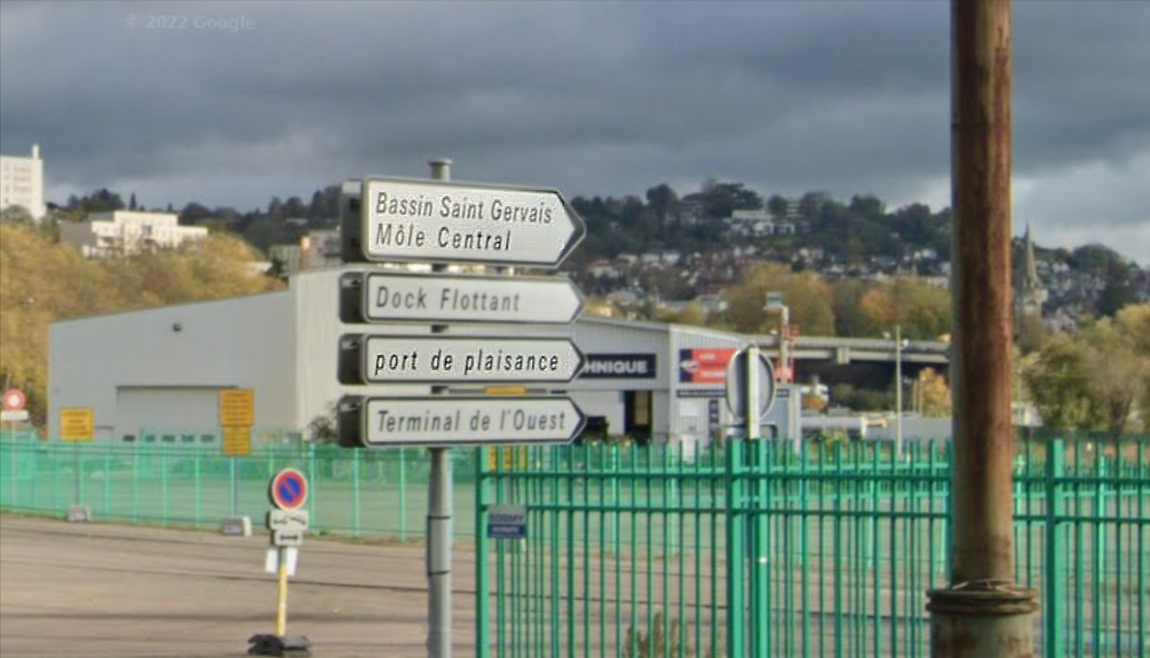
(157, 376)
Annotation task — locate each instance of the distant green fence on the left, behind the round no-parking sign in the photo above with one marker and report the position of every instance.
(355, 493)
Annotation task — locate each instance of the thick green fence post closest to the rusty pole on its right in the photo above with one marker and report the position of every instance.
(1055, 585)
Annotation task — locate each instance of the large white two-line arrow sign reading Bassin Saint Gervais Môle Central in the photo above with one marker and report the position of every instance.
(436, 221)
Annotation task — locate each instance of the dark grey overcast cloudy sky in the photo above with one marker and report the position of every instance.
(231, 104)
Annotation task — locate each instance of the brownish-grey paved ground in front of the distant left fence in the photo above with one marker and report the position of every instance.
(102, 591)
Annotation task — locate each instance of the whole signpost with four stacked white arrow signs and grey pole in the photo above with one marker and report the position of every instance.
(447, 224)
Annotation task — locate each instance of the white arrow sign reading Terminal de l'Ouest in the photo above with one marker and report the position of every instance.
(469, 420)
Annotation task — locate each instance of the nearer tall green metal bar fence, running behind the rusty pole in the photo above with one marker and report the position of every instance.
(758, 550)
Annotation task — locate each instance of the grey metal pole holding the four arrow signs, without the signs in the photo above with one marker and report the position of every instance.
(440, 509)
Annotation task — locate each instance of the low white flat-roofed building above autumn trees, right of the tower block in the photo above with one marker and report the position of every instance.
(127, 233)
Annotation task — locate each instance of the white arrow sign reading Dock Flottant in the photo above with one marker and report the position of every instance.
(389, 297)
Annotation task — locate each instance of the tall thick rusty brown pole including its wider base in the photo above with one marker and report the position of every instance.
(984, 613)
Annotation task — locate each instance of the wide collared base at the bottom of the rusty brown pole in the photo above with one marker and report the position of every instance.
(984, 619)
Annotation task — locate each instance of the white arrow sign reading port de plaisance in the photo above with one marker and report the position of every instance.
(441, 359)
